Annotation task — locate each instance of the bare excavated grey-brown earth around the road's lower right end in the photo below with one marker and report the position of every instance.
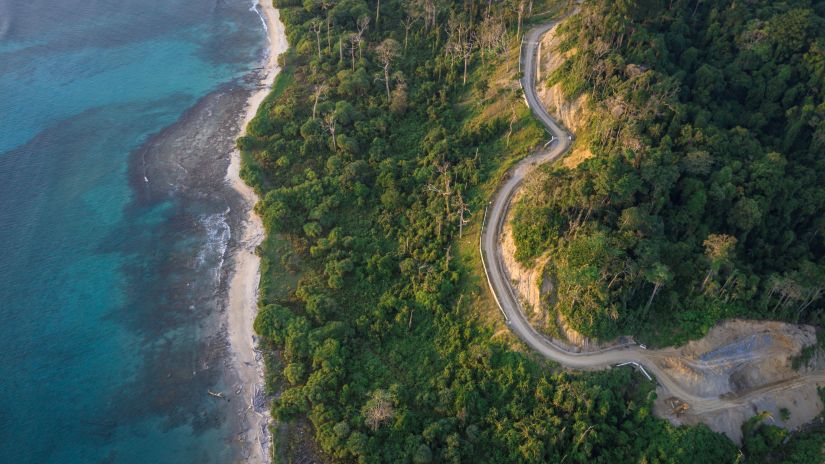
(739, 357)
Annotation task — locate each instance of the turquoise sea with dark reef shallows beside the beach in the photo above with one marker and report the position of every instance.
(111, 279)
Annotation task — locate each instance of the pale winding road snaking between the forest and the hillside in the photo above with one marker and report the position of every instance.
(505, 295)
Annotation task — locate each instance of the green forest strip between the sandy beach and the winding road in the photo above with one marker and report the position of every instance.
(385, 134)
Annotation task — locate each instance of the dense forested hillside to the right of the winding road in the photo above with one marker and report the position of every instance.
(705, 195)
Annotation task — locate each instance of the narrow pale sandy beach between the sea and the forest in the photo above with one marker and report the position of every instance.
(243, 286)
